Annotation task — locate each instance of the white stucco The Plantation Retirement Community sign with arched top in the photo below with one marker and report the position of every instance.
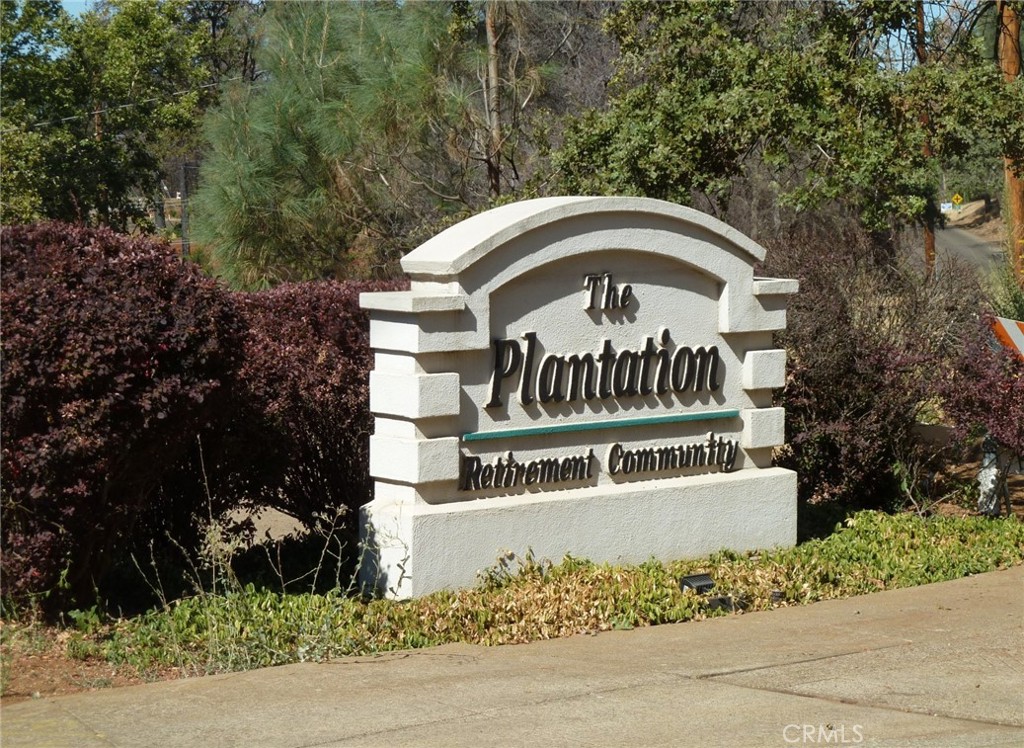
(575, 376)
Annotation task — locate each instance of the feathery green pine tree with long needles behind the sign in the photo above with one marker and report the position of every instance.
(373, 124)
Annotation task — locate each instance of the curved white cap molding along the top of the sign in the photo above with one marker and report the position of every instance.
(454, 252)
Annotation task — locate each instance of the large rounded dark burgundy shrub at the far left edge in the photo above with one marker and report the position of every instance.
(114, 355)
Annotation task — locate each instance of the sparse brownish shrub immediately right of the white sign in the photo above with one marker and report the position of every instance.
(868, 342)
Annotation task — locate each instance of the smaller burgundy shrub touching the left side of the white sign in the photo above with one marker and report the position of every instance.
(298, 437)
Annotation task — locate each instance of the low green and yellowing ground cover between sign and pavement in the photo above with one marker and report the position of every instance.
(525, 600)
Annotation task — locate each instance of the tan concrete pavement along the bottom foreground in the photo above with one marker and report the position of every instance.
(942, 666)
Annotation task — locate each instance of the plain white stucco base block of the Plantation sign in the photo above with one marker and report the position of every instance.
(415, 550)
